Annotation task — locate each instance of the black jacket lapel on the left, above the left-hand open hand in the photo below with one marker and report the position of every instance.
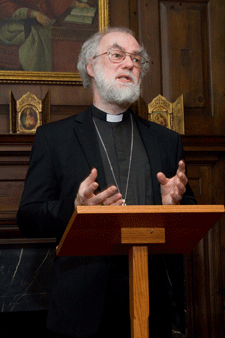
(85, 132)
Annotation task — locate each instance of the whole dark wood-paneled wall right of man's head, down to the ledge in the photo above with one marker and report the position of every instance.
(185, 40)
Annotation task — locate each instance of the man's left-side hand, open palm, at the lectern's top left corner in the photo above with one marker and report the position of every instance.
(86, 196)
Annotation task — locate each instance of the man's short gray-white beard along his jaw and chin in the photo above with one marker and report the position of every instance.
(112, 92)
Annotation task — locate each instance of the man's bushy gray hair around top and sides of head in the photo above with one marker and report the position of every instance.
(90, 49)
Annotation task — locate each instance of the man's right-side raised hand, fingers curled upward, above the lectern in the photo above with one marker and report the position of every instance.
(172, 189)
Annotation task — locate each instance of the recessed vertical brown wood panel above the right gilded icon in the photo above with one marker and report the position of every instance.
(186, 55)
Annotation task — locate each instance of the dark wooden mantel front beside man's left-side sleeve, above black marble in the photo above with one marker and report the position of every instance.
(14, 160)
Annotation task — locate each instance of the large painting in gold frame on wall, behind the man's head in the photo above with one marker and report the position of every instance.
(40, 43)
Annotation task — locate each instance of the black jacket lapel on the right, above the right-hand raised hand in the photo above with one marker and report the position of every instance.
(154, 154)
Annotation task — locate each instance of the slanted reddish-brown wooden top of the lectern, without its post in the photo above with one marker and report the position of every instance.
(100, 230)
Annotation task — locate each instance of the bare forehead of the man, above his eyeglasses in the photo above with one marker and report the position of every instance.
(122, 40)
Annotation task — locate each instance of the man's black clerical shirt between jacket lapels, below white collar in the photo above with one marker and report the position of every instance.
(117, 140)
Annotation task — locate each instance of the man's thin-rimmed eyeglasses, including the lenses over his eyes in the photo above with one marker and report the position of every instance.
(118, 56)
